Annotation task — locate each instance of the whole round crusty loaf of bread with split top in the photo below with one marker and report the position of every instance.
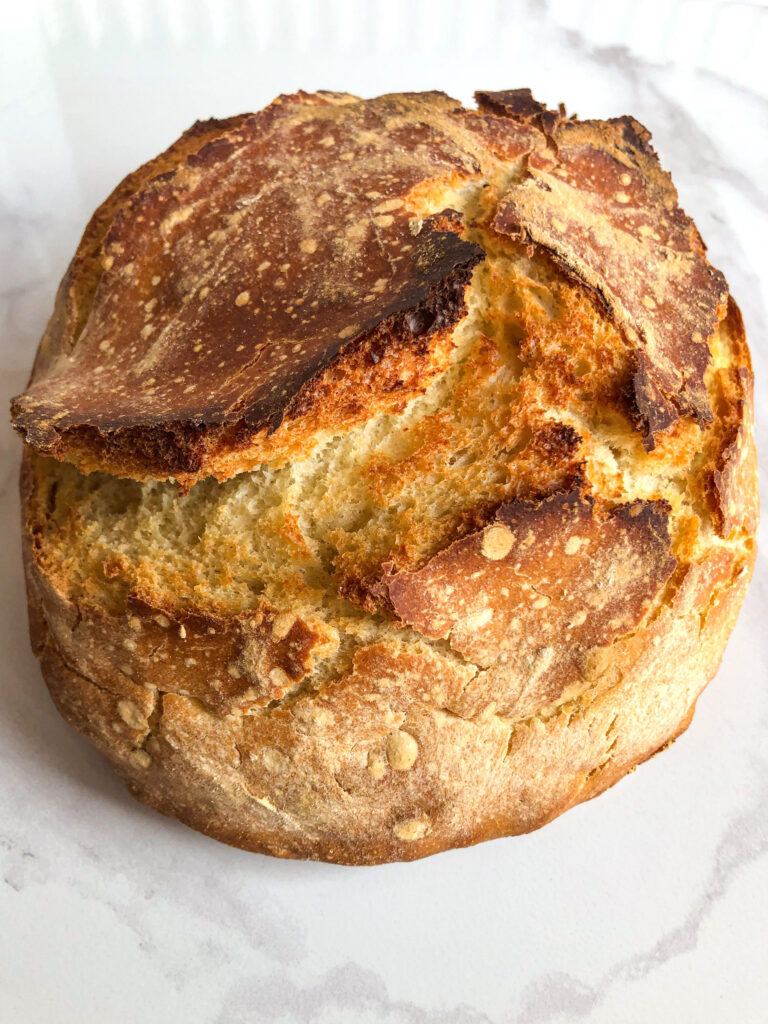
(389, 481)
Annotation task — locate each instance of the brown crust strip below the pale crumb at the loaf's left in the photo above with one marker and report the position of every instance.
(229, 663)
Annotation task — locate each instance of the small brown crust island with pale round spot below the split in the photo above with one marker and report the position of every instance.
(540, 587)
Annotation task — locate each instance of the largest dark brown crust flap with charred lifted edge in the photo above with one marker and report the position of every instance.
(233, 280)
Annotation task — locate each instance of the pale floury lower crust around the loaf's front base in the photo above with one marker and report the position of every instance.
(320, 781)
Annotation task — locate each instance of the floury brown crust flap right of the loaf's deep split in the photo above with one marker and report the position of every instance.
(599, 202)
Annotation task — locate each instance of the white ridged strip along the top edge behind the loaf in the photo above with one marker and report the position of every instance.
(727, 37)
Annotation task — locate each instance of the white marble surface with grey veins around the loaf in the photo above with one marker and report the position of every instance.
(649, 905)
